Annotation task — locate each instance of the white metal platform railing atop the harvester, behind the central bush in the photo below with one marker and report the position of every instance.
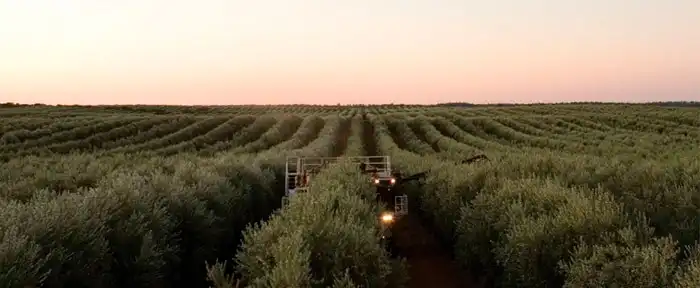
(299, 170)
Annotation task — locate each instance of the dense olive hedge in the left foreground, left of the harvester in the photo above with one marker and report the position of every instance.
(147, 226)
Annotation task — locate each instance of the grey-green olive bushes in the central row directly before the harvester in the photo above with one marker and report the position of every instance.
(328, 236)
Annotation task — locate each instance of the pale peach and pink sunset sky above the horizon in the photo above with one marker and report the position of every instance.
(229, 52)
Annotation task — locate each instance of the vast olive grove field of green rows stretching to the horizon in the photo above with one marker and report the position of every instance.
(573, 195)
